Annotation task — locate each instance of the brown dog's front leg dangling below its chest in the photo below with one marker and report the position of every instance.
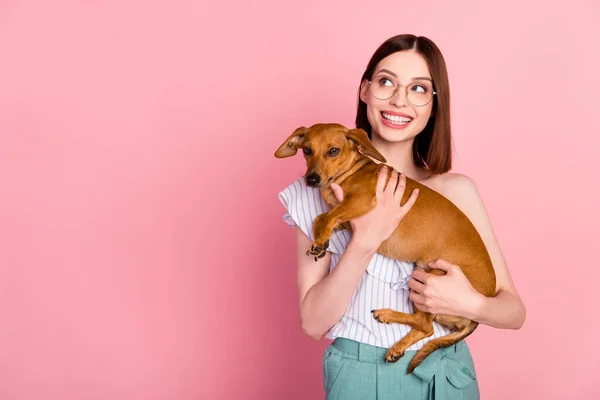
(325, 224)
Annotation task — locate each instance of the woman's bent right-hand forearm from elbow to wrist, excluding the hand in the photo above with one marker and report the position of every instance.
(503, 311)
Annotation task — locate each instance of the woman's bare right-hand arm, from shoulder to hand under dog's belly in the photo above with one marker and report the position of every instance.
(452, 294)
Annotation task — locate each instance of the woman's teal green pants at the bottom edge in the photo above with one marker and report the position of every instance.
(353, 370)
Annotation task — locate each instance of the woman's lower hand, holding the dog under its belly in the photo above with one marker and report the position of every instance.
(450, 294)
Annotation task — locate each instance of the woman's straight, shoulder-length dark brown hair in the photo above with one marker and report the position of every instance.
(432, 148)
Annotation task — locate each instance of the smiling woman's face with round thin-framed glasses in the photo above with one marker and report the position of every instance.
(396, 119)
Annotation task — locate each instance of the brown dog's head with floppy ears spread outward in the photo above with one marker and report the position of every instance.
(329, 150)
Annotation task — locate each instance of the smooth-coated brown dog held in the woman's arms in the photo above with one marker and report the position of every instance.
(434, 227)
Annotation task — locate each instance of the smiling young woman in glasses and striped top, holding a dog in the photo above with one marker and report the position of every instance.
(404, 105)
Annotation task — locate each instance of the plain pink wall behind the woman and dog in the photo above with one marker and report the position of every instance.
(142, 251)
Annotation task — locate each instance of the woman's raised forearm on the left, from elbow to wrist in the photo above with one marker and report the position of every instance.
(325, 303)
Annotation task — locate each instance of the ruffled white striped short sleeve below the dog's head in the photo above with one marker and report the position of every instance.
(303, 204)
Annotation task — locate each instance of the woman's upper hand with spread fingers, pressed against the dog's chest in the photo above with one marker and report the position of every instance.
(377, 225)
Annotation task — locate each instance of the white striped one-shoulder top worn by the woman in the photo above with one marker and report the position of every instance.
(383, 285)
